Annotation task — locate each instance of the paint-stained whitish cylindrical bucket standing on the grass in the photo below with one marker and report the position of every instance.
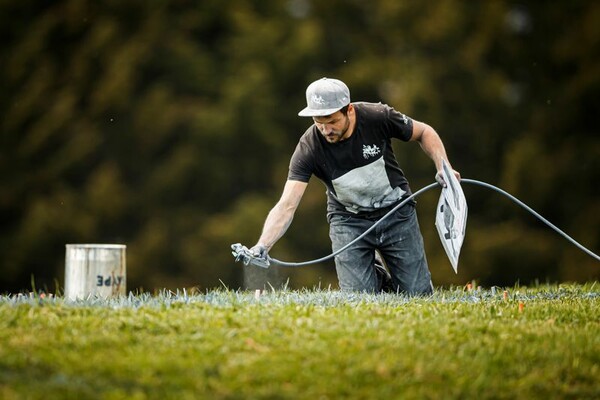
(95, 270)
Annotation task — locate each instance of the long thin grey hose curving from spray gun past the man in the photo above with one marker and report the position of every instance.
(419, 192)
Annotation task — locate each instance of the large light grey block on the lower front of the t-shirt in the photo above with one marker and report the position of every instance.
(366, 188)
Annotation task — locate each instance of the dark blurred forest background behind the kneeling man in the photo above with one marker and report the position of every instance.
(168, 126)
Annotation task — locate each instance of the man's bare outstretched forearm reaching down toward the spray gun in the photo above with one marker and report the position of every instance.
(280, 217)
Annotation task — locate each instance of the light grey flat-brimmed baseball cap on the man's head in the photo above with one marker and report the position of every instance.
(324, 97)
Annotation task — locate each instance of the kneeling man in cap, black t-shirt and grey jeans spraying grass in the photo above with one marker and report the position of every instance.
(348, 147)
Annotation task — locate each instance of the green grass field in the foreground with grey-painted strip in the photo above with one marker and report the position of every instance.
(308, 345)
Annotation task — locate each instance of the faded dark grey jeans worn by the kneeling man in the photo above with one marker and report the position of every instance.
(399, 241)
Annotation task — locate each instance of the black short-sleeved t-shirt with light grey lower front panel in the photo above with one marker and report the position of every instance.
(361, 173)
